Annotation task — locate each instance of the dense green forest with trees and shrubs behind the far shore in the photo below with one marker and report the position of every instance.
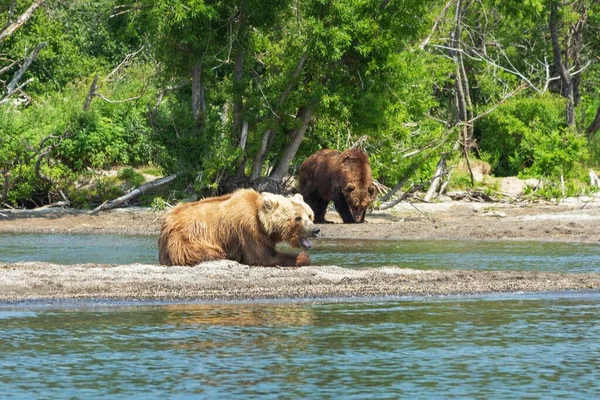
(230, 93)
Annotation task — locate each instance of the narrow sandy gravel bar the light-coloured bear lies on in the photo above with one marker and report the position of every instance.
(226, 280)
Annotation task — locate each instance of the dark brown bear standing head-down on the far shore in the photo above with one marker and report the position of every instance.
(344, 178)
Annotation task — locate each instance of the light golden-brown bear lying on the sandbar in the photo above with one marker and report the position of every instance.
(244, 226)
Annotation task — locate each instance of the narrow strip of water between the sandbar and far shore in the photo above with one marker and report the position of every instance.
(483, 255)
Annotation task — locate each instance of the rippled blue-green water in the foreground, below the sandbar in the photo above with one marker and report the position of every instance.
(527, 346)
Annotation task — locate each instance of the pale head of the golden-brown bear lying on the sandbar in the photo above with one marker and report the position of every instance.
(287, 219)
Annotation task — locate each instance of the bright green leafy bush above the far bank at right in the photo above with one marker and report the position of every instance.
(528, 137)
